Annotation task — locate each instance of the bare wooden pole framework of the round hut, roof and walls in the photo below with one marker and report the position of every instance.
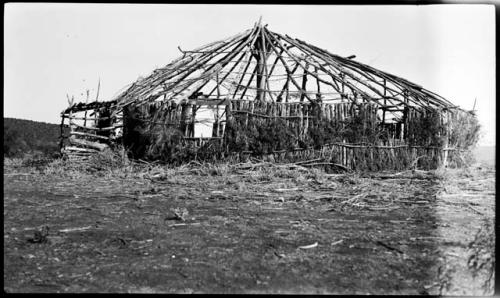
(260, 74)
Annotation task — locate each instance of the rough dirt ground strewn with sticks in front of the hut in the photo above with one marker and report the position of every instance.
(264, 229)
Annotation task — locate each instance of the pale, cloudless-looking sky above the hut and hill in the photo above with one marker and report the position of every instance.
(56, 49)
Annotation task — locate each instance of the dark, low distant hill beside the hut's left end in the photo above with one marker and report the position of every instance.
(25, 136)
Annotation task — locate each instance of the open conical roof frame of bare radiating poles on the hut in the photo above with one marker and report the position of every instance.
(259, 64)
